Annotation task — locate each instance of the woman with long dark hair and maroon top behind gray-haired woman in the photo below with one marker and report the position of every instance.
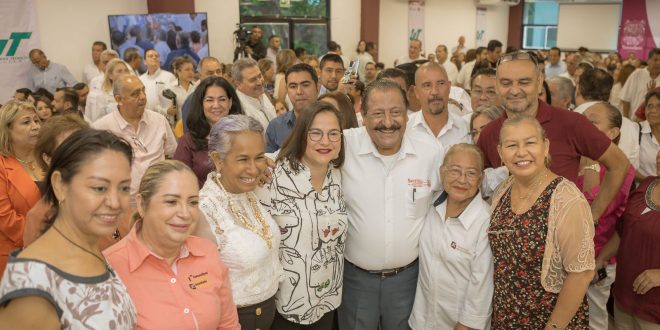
(214, 99)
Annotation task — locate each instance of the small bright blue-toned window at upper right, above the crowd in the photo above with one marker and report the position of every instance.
(540, 24)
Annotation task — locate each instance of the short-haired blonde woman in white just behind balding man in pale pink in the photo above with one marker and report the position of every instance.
(101, 102)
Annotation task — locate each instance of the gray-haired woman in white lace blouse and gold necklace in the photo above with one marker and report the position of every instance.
(247, 236)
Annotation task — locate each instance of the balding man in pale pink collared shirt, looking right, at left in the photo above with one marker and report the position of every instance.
(148, 132)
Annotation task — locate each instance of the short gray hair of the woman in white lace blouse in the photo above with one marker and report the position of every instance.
(223, 132)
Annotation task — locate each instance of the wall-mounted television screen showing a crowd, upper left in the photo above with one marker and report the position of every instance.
(169, 34)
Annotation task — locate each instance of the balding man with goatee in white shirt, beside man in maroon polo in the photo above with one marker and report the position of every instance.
(435, 121)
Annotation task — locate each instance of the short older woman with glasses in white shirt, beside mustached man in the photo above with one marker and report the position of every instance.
(455, 285)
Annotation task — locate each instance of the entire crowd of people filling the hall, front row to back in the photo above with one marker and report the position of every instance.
(466, 189)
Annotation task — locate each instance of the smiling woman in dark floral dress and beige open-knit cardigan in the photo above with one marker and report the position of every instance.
(541, 235)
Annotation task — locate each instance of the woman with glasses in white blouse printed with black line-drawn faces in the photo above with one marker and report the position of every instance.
(305, 198)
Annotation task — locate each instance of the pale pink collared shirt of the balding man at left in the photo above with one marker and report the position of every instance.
(152, 141)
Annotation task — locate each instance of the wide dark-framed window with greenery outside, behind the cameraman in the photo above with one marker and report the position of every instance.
(299, 23)
